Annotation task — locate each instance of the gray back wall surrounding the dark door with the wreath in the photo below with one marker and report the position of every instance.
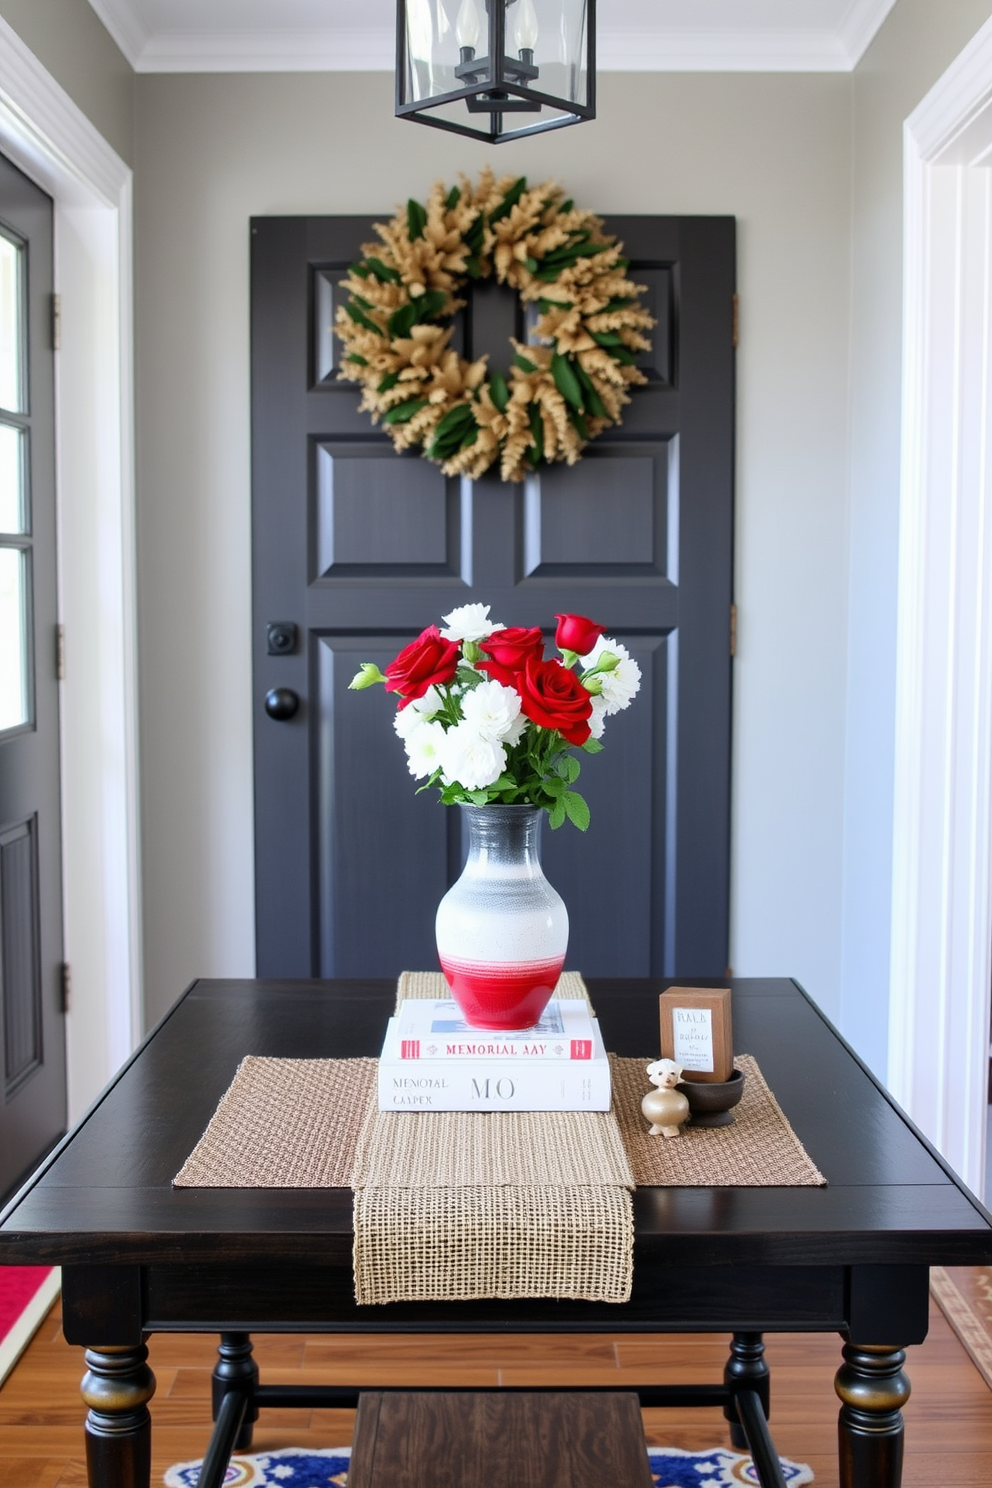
(212, 151)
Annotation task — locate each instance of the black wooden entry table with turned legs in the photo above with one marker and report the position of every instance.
(144, 1258)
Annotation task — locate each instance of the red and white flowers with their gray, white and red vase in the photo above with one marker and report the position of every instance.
(495, 725)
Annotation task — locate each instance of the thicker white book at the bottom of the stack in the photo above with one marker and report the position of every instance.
(493, 1085)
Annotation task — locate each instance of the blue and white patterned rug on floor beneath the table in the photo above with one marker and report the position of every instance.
(300, 1468)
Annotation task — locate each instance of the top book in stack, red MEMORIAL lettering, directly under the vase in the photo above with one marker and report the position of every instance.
(435, 1029)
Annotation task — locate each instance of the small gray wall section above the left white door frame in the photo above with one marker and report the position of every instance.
(71, 41)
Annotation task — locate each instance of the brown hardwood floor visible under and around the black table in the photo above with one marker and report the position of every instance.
(948, 1420)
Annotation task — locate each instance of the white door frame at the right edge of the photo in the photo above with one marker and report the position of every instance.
(942, 871)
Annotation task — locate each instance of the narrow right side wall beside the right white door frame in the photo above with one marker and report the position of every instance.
(914, 48)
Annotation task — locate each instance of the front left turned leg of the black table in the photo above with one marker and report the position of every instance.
(118, 1388)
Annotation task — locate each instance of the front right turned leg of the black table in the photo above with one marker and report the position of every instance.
(874, 1389)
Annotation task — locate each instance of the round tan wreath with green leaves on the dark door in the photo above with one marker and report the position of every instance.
(561, 392)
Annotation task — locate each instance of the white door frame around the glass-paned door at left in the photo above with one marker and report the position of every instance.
(53, 142)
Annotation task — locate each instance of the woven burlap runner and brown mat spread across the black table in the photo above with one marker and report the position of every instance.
(453, 1206)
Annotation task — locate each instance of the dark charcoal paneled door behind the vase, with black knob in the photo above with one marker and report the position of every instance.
(364, 548)
